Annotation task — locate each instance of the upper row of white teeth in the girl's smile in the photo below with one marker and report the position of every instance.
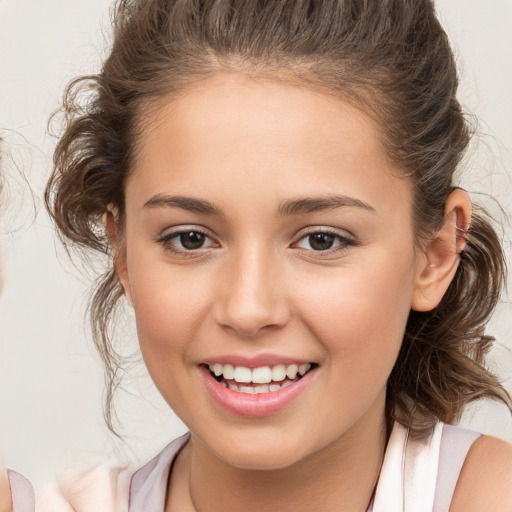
(259, 375)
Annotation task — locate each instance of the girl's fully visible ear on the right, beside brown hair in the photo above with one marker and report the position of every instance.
(441, 257)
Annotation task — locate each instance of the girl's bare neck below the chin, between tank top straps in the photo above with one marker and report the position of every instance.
(342, 474)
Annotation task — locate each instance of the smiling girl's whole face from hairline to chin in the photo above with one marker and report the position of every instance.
(267, 236)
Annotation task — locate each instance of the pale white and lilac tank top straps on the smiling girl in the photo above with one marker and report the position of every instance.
(417, 475)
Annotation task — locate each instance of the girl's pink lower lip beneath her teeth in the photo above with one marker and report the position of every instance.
(254, 405)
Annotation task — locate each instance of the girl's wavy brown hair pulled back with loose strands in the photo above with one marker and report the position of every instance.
(390, 58)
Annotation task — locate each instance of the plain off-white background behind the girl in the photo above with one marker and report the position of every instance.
(50, 377)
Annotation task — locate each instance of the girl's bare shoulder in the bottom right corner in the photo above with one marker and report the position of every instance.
(485, 482)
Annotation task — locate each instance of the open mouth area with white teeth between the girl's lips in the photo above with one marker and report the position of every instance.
(259, 380)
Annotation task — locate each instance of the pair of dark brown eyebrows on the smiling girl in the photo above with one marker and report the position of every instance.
(290, 207)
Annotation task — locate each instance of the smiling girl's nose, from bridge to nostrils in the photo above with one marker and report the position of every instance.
(253, 294)
